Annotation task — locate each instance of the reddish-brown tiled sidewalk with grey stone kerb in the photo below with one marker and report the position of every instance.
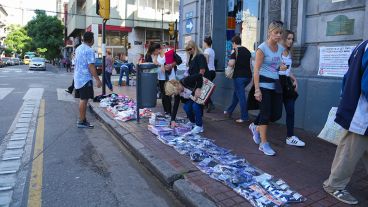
(304, 169)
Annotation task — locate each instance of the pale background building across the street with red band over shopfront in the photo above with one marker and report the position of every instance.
(133, 24)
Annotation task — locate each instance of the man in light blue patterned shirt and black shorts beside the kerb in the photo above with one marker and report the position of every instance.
(84, 70)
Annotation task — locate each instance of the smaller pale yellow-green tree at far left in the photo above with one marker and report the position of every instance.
(17, 40)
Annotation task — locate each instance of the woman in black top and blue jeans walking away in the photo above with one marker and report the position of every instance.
(240, 60)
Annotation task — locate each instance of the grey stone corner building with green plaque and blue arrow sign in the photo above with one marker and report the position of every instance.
(326, 32)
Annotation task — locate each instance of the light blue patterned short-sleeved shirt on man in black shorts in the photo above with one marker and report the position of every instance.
(84, 55)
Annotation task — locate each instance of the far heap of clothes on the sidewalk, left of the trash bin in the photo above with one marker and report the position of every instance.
(122, 108)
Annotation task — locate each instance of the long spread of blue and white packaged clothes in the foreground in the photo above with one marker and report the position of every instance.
(258, 187)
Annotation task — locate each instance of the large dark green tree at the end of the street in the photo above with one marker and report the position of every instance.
(46, 32)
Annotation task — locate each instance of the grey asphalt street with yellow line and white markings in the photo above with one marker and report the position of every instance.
(68, 166)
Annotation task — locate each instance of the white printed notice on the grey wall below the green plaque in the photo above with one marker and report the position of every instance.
(333, 61)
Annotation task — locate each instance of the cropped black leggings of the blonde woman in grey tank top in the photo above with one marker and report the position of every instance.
(270, 107)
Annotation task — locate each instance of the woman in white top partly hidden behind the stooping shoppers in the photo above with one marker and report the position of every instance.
(209, 53)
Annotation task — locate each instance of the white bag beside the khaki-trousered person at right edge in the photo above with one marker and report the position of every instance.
(332, 132)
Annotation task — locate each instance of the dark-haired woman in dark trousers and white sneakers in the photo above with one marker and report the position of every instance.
(289, 86)
